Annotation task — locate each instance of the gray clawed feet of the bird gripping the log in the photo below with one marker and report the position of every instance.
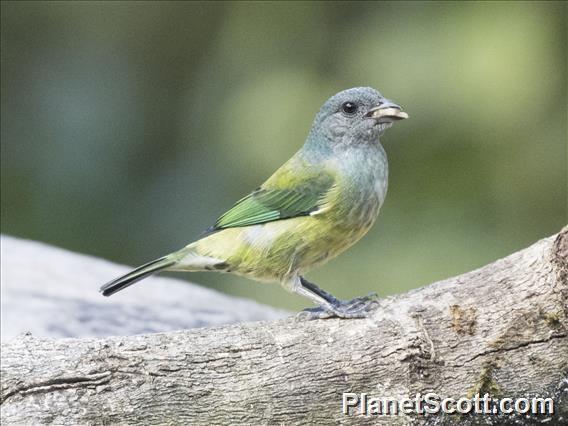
(360, 307)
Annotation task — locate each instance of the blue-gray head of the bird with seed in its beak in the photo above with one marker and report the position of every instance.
(357, 115)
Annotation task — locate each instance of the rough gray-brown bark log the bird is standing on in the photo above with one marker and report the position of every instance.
(501, 329)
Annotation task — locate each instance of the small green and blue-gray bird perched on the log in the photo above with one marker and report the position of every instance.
(317, 205)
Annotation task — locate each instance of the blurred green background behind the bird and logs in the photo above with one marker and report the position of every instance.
(128, 128)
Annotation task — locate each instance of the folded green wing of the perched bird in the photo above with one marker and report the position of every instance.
(279, 198)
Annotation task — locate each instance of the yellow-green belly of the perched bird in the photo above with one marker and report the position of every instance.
(274, 250)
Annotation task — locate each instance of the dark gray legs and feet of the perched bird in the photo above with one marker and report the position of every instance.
(329, 306)
